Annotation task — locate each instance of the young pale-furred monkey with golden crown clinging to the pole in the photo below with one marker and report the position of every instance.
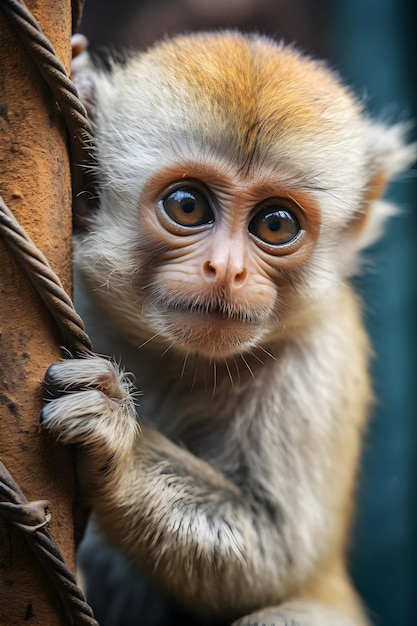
(238, 183)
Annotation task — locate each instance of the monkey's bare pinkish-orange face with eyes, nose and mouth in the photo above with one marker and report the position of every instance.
(217, 250)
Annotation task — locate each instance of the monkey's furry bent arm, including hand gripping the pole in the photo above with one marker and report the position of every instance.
(202, 535)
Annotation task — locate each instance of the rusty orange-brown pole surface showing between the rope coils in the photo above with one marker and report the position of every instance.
(35, 183)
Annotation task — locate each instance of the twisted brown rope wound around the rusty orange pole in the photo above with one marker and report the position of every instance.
(32, 517)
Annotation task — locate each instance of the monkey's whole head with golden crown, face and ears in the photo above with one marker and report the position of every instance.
(238, 181)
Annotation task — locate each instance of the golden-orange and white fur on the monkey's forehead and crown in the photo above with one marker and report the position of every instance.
(243, 97)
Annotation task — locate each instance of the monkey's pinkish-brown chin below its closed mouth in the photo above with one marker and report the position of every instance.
(213, 336)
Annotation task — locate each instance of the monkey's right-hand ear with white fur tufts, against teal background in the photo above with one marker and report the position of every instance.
(388, 155)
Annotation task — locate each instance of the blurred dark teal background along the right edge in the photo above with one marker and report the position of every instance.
(374, 44)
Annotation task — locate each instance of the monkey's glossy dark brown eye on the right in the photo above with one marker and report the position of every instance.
(275, 225)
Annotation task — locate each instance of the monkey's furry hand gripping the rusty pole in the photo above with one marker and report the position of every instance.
(91, 405)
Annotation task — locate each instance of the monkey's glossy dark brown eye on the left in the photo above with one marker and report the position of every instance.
(188, 207)
